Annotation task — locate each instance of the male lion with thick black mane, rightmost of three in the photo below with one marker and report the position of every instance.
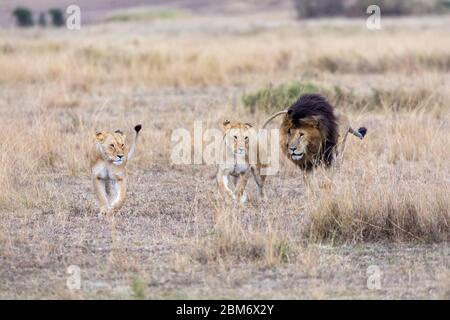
(313, 133)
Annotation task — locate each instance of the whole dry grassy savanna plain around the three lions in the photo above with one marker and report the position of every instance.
(388, 205)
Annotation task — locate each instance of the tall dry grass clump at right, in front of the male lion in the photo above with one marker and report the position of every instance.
(371, 208)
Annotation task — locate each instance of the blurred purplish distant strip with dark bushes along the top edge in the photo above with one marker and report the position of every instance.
(94, 11)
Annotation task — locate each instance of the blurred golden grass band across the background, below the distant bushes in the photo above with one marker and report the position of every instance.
(152, 60)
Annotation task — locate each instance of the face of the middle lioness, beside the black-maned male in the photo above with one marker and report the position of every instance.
(237, 136)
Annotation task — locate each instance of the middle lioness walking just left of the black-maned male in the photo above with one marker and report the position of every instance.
(236, 149)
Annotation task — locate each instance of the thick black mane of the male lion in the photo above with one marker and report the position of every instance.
(315, 105)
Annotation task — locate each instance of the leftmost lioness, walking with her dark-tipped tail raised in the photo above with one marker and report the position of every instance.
(109, 157)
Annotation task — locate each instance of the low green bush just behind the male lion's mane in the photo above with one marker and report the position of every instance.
(273, 98)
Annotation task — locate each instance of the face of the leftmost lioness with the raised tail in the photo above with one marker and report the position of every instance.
(112, 146)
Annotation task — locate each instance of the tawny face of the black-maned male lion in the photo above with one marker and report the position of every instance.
(303, 143)
